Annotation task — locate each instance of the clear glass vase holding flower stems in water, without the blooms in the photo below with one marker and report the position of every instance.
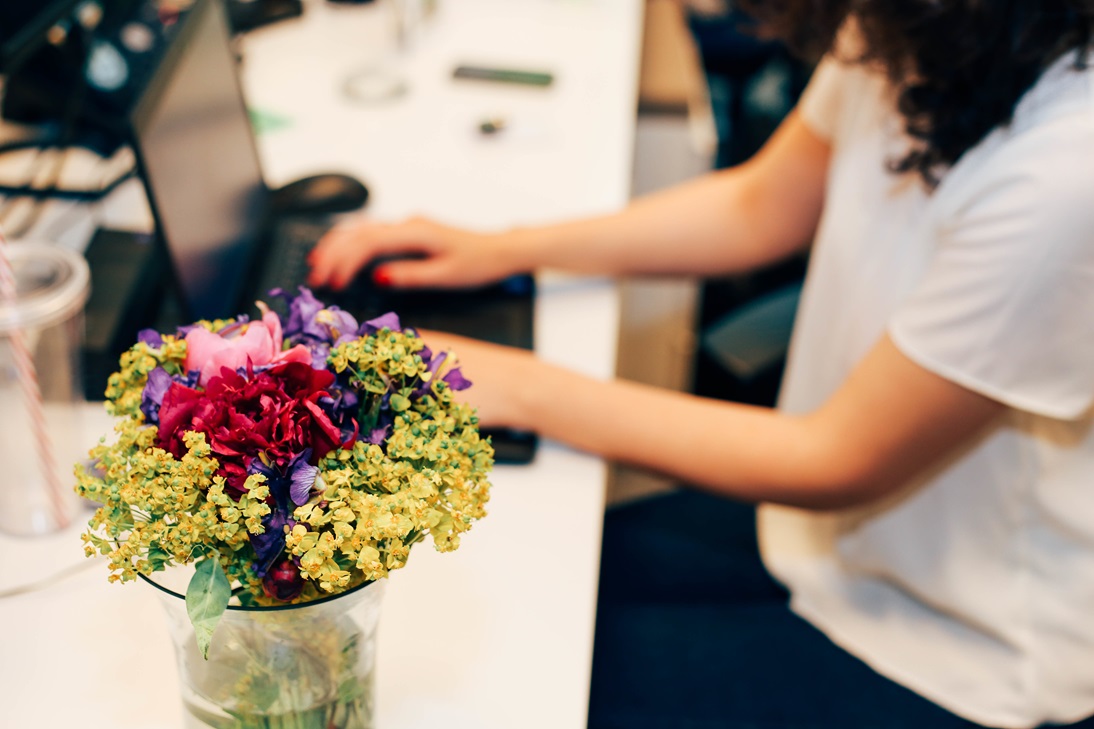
(292, 667)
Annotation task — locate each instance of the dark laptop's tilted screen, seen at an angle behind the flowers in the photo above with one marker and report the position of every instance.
(200, 164)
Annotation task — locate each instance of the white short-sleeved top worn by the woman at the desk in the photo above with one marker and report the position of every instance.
(974, 586)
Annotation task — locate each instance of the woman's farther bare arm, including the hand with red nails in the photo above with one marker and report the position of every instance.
(726, 222)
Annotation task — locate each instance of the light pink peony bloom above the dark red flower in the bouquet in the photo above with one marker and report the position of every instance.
(253, 344)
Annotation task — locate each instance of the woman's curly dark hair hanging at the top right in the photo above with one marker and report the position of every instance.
(961, 66)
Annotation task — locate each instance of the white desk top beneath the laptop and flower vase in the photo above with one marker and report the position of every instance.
(522, 588)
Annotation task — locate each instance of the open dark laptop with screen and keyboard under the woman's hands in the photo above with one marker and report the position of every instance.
(200, 163)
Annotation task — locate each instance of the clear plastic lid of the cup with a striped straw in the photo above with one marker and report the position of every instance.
(52, 285)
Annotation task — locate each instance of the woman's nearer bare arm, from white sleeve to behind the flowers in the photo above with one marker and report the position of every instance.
(891, 420)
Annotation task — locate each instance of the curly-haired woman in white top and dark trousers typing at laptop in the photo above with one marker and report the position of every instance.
(935, 432)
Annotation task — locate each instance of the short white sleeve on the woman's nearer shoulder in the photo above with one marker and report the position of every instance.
(1007, 308)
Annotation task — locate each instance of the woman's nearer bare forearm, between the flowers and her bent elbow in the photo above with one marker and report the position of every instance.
(744, 453)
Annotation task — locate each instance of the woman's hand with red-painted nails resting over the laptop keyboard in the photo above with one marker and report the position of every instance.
(425, 254)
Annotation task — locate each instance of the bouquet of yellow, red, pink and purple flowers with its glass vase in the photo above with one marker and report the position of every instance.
(288, 464)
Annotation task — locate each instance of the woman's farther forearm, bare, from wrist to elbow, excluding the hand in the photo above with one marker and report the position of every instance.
(726, 222)
